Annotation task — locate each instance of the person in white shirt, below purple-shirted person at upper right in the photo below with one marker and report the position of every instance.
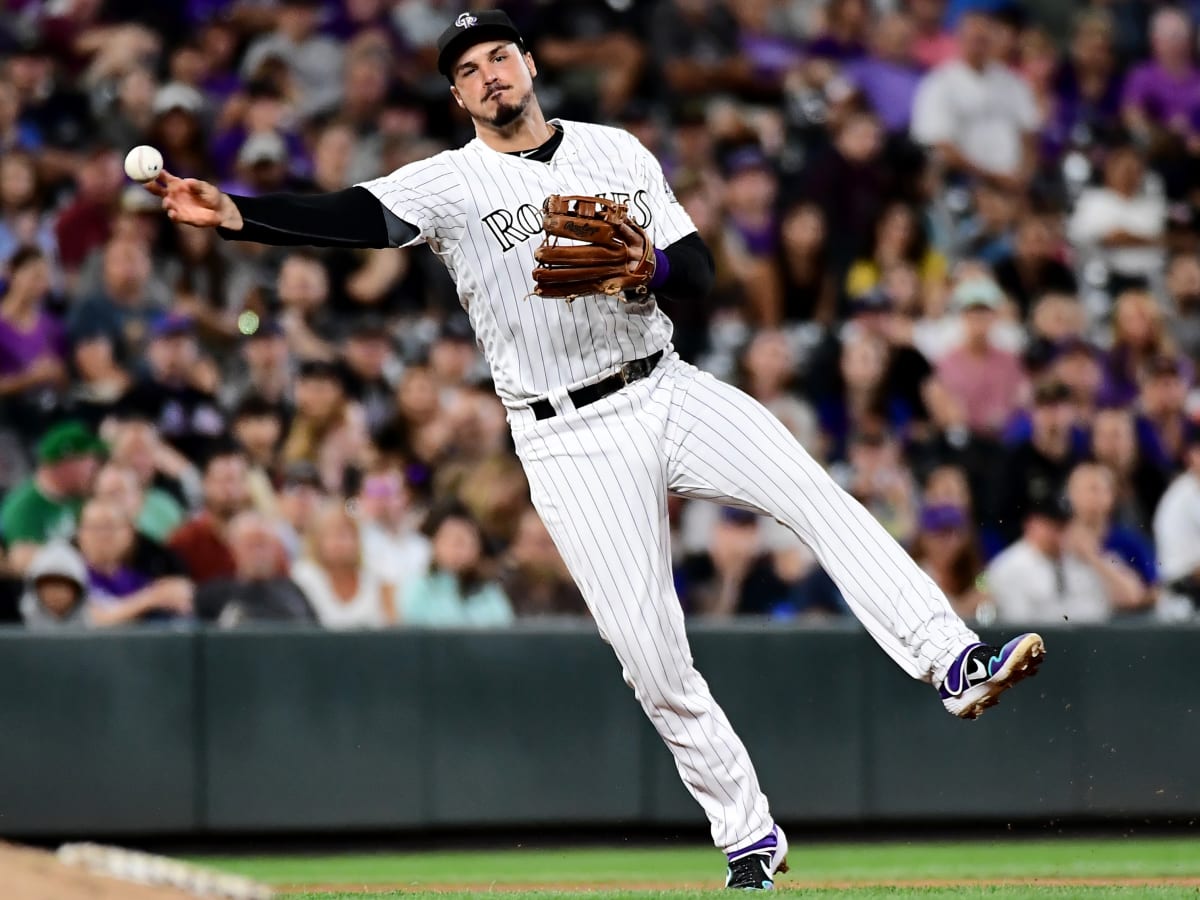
(1123, 225)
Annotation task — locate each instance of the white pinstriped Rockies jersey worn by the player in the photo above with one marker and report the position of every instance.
(481, 212)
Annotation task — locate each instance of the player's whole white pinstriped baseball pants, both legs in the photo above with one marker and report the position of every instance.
(599, 479)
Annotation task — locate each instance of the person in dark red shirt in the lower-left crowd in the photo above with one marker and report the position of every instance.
(203, 542)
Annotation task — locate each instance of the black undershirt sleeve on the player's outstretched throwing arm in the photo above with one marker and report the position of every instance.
(353, 218)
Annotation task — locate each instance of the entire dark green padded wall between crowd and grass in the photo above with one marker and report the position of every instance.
(308, 731)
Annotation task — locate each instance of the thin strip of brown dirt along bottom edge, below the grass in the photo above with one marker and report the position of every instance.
(788, 884)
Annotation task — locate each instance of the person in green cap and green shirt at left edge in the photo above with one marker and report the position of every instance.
(46, 506)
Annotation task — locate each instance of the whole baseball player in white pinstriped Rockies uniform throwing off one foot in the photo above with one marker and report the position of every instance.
(605, 417)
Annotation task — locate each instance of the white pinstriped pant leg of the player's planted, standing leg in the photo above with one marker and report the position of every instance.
(598, 481)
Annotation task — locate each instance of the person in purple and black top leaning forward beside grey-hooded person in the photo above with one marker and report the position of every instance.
(130, 578)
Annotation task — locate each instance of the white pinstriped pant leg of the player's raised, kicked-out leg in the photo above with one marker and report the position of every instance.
(727, 447)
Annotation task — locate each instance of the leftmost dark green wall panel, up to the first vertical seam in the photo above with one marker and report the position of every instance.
(98, 735)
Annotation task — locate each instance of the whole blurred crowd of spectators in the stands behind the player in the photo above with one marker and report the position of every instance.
(956, 249)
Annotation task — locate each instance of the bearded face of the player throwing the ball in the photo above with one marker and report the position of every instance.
(494, 83)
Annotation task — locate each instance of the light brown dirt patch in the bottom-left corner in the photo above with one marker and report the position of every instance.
(38, 875)
